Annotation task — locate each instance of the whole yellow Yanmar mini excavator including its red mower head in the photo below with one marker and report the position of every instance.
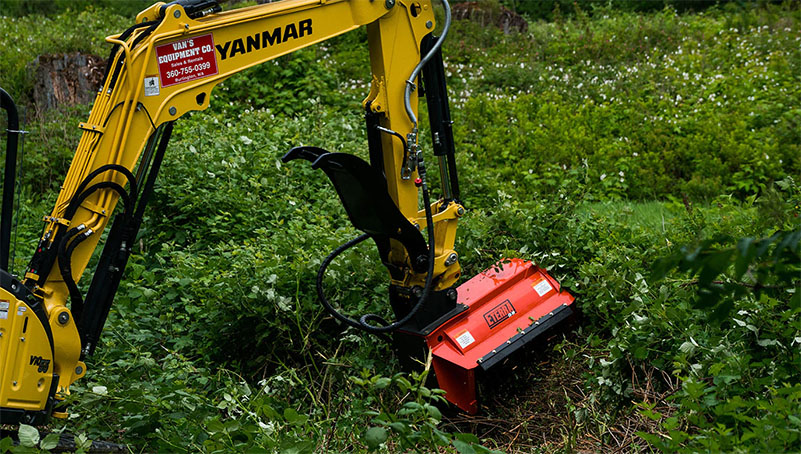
(166, 65)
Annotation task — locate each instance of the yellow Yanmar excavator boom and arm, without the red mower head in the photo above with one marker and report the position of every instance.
(164, 66)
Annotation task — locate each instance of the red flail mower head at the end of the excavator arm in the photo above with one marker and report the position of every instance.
(508, 306)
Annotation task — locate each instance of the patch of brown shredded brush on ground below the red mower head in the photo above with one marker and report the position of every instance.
(536, 401)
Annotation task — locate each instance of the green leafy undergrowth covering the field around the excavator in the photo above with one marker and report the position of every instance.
(650, 161)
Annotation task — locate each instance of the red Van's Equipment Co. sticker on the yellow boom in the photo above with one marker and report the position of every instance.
(186, 60)
